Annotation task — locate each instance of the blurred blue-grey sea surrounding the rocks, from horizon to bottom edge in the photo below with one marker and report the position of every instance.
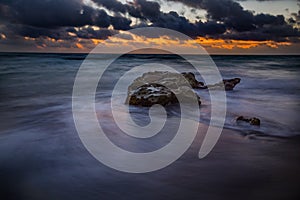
(42, 156)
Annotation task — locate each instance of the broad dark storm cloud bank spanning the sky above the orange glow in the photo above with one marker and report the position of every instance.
(70, 19)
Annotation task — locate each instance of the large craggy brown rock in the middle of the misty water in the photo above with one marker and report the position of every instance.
(160, 88)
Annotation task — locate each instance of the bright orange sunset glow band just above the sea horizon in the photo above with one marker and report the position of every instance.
(113, 43)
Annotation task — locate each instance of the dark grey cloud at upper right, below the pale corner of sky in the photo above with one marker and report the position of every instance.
(244, 24)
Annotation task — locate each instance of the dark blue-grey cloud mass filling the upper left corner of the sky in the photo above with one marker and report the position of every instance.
(55, 18)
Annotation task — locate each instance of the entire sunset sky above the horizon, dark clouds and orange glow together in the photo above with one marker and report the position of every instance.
(220, 26)
